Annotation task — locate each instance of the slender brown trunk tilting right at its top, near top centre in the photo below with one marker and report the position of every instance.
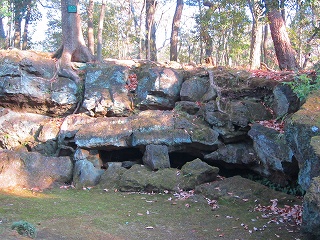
(175, 31)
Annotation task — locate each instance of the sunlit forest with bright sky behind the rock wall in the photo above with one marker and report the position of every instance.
(227, 32)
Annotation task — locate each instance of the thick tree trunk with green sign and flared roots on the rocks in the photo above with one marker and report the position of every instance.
(73, 45)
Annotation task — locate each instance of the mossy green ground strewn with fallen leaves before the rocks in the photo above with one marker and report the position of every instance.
(96, 214)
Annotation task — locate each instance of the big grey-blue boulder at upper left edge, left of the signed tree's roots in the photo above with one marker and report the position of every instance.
(28, 82)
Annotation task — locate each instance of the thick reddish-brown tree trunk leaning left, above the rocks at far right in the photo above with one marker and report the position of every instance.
(284, 52)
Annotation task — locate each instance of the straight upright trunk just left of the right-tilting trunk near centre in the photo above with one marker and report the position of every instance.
(151, 48)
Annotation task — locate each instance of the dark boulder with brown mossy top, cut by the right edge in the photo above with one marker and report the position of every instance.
(300, 128)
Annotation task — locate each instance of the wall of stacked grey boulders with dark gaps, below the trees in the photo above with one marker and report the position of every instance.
(126, 113)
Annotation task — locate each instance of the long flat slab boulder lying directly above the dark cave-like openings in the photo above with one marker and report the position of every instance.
(148, 127)
